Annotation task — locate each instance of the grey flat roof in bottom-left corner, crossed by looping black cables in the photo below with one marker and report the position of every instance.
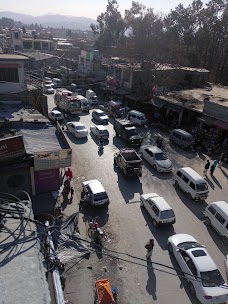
(23, 278)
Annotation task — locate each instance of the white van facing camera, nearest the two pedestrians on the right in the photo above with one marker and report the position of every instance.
(192, 183)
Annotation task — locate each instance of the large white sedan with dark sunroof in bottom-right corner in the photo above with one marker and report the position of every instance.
(204, 279)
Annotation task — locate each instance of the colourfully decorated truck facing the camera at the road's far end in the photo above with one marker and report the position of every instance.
(67, 101)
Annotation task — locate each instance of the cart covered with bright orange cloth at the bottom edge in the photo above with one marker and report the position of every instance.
(105, 293)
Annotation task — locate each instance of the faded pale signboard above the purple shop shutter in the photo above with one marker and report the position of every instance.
(52, 159)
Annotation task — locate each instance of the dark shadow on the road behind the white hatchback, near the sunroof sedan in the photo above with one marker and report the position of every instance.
(161, 234)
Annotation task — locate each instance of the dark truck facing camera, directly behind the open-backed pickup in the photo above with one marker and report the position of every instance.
(124, 128)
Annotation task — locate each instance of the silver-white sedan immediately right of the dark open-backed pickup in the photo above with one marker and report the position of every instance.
(156, 157)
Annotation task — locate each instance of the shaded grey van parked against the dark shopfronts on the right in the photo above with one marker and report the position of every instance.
(181, 138)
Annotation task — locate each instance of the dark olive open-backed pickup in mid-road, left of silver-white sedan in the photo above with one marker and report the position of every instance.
(129, 162)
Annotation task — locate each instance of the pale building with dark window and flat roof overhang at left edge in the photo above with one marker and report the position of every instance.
(12, 75)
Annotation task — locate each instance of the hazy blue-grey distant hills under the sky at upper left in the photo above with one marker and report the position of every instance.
(71, 22)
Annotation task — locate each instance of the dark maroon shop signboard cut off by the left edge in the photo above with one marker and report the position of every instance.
(11, 148)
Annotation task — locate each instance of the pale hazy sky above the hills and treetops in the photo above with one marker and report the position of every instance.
(85, 8)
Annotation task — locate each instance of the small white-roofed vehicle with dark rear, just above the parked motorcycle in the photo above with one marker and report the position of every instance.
(94, 193)
